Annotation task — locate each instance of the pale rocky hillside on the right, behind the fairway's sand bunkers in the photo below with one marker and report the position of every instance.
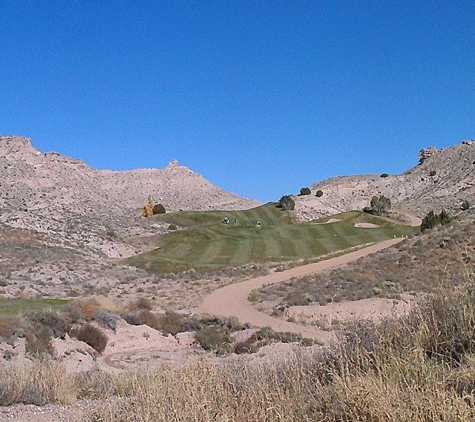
(441, 179)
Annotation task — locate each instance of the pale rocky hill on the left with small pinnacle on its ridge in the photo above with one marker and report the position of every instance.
(72, 204)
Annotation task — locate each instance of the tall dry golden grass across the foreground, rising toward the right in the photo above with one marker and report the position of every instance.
(418, 368)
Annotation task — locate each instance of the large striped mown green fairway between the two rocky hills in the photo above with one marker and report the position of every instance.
(206, 242)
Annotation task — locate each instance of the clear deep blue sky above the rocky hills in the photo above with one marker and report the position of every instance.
(260, 97)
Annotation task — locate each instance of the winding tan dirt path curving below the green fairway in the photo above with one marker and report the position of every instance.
(232, 300)
